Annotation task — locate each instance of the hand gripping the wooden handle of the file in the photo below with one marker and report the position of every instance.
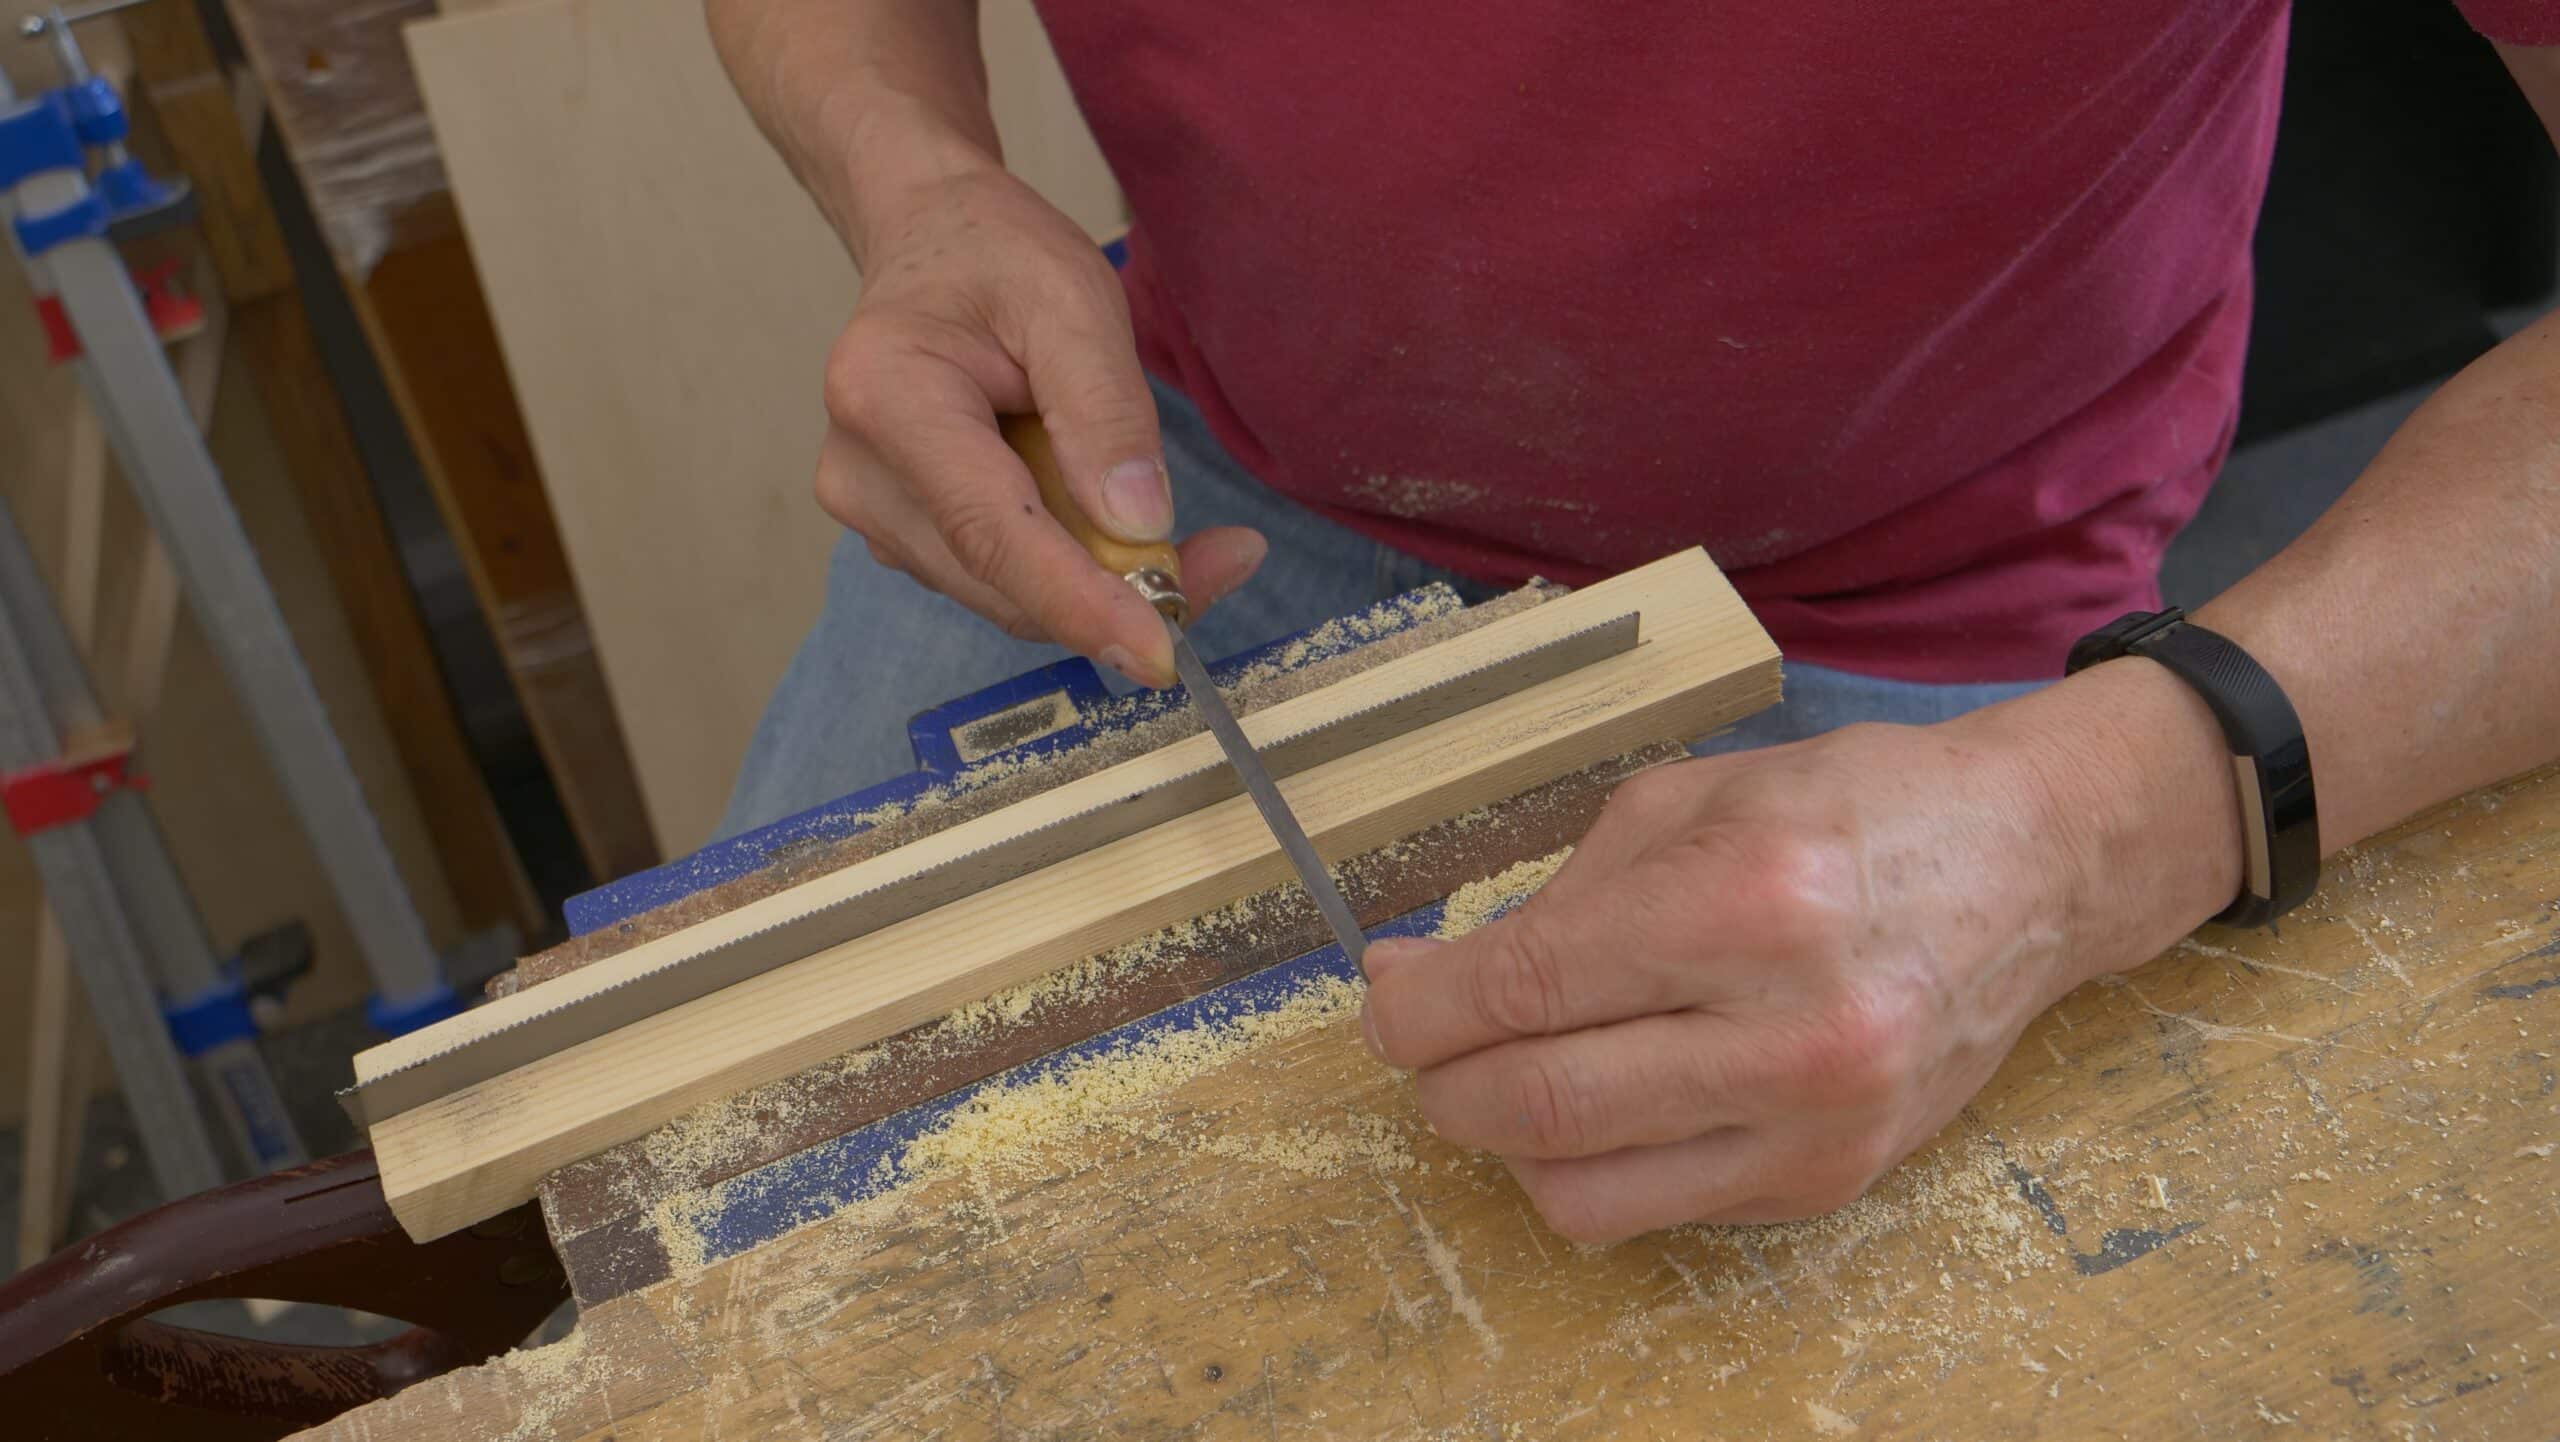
(987, 301)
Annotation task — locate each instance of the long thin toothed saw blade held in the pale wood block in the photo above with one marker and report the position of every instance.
(698, 975)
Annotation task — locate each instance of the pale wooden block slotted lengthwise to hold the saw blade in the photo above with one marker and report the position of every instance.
(1704, 662)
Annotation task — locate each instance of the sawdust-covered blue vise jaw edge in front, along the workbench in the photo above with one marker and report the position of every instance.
(831, 1177)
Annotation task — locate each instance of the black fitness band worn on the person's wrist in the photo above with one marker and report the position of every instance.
(2269, 757)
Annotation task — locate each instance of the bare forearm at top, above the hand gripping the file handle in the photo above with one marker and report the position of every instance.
(869, 101)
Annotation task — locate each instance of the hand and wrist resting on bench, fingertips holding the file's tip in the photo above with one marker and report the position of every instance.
(1763, 980)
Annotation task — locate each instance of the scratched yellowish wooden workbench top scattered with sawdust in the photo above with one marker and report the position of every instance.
(2264, 1187)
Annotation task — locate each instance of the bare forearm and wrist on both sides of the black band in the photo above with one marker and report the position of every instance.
(2415, 629)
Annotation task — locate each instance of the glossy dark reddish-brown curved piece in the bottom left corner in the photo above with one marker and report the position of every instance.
(81, 1354)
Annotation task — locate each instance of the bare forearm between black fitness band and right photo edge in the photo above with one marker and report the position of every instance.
(2418, 626)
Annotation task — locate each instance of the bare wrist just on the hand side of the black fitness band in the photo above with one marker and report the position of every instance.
(2134, 782)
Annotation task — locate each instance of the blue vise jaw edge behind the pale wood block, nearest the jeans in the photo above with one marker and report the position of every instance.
(751, 852)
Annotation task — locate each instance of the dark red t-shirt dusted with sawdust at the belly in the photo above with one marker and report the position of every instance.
(1926, 321)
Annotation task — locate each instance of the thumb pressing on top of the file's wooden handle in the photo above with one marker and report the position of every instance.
(1102, 419)
